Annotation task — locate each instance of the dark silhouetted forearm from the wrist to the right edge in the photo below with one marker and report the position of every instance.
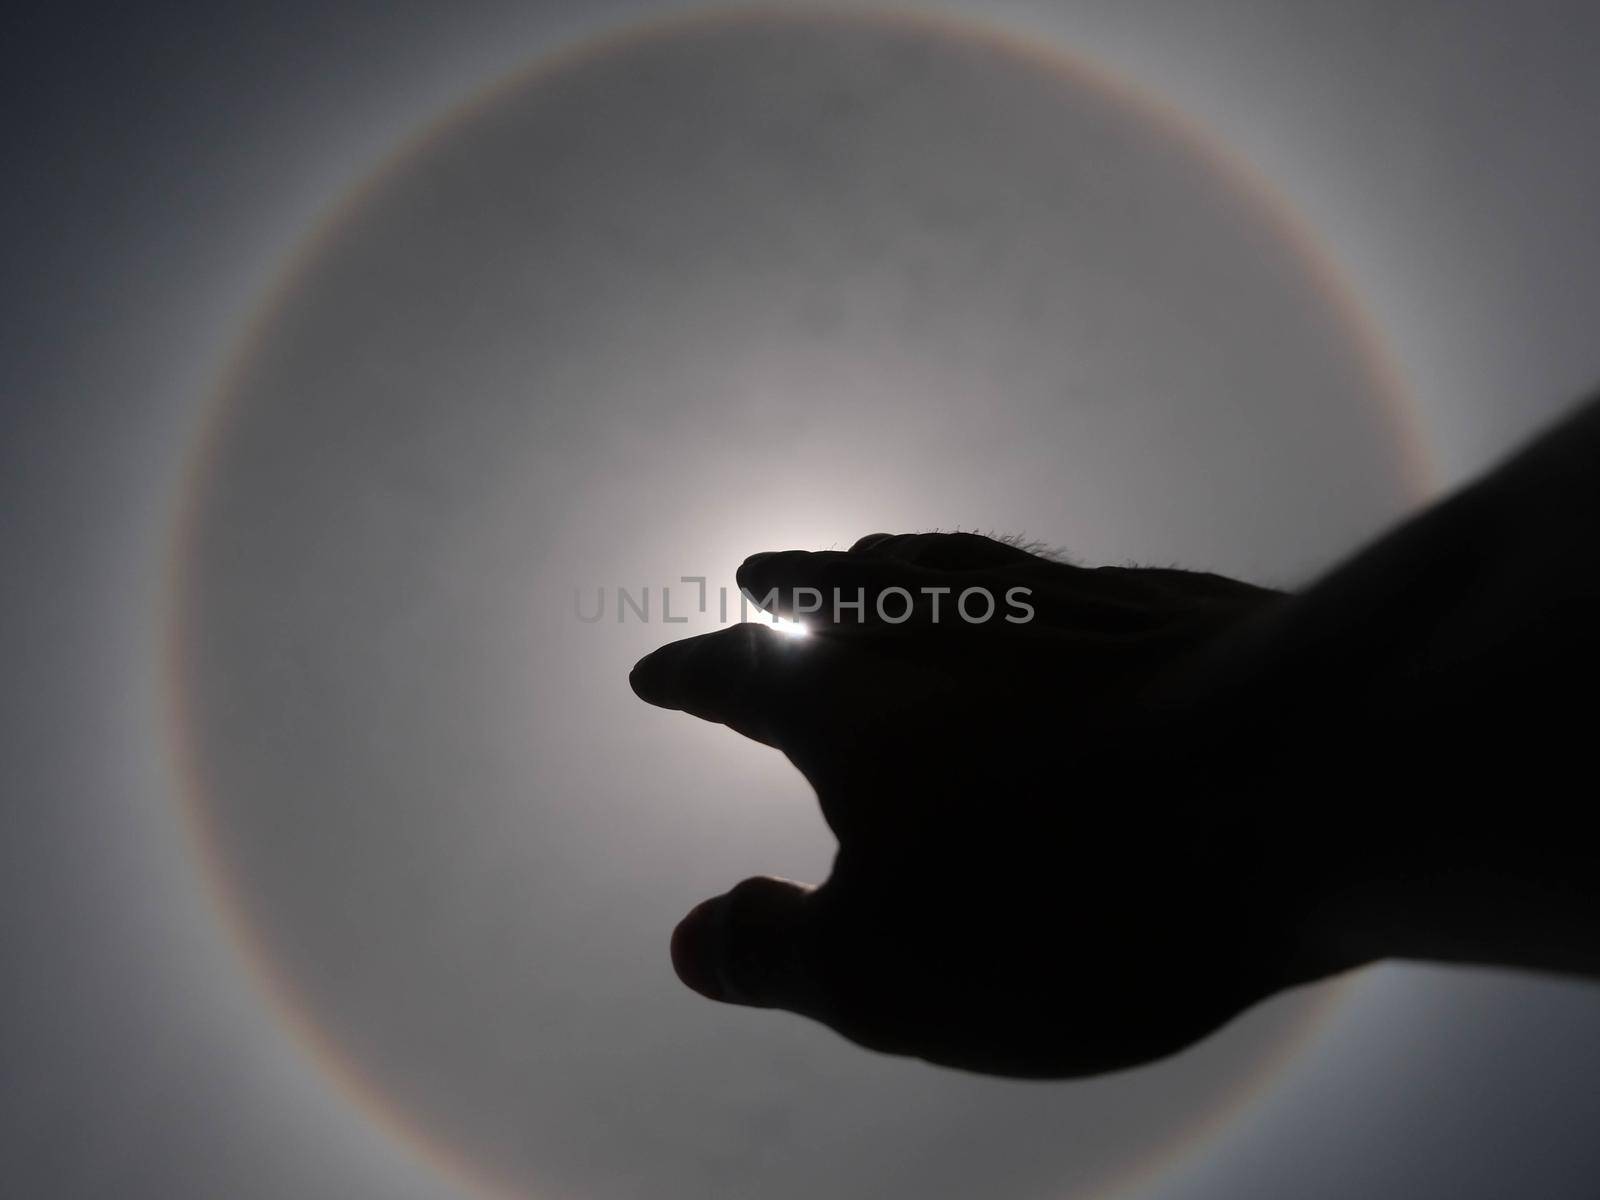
(1428, 714)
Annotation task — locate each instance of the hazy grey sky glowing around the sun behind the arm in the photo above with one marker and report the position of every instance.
(633, 319)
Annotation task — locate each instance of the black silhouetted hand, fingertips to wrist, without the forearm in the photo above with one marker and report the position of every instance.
(1039, 873)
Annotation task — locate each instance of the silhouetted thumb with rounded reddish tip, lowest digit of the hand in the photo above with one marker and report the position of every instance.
(753, 946)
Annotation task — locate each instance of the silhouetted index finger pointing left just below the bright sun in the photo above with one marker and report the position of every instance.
(745, 678)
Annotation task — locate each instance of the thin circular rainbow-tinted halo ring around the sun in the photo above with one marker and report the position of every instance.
(188, 505)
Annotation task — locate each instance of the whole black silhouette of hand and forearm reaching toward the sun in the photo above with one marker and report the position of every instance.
(1084, 841)
